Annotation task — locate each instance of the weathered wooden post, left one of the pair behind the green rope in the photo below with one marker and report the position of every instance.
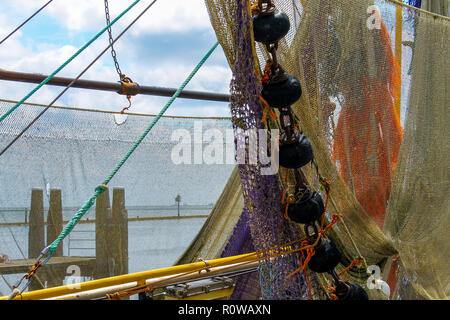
(103, 225)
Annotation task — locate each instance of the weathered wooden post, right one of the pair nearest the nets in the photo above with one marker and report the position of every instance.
(120, 234)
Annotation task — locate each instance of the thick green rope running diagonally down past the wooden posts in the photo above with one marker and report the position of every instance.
(101, 188)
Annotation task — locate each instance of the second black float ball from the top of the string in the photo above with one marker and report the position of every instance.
(282, 94)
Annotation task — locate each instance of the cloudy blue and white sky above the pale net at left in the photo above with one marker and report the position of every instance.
(161, 49)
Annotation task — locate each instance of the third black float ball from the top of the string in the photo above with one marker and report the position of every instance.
(297, 154)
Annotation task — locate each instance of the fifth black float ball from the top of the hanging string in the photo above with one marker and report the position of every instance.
(326, 258)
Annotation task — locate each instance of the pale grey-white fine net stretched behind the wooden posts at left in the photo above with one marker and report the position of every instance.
(75, 149)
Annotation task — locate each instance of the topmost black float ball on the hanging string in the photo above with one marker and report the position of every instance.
(270, 28)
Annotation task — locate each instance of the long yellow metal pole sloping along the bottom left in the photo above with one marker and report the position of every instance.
(126, 278)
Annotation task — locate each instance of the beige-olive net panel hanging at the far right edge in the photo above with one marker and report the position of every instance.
(418, 211)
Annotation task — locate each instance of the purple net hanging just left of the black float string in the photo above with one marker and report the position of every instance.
(262, 225)
